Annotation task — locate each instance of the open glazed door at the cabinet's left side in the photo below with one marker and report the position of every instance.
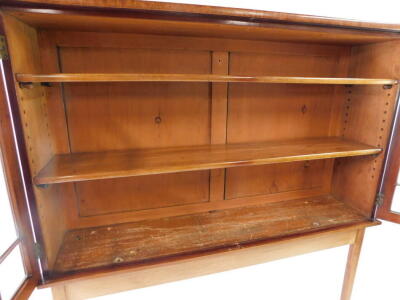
(19, 268)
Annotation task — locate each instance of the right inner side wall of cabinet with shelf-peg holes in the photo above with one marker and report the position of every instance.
(367, 118)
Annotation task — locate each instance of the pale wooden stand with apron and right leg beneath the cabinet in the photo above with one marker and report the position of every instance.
(118, 281)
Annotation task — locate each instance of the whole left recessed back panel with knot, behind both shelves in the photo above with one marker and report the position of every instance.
(119, 116)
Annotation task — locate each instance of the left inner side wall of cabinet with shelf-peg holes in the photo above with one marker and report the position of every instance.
(23, 46)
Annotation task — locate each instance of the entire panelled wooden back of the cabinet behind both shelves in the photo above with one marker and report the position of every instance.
(112, 116)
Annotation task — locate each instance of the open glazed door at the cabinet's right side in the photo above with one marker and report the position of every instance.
(388, 199)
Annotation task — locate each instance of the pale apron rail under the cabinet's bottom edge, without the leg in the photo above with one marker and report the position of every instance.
(84, 285)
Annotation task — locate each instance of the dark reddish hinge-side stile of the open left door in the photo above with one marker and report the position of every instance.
(16, 169)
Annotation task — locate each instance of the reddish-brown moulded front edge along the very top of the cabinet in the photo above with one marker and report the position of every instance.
(192, 13)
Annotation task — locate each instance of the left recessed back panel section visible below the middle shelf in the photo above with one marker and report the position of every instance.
(145, 193)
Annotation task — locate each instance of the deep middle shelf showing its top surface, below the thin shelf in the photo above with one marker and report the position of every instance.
(102, 165)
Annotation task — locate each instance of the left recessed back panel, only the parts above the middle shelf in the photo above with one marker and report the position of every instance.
(139, 115)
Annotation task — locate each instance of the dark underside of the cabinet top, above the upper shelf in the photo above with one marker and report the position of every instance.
(156, 22)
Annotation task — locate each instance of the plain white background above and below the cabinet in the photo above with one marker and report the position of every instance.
(313, 276)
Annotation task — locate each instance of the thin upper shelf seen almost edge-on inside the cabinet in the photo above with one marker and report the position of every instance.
(126, 77)
